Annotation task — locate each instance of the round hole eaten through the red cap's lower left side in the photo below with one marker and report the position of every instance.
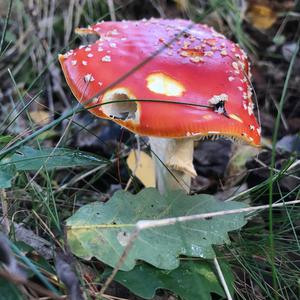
(122, 106)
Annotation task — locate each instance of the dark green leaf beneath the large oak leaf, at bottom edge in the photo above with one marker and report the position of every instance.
(191, 280)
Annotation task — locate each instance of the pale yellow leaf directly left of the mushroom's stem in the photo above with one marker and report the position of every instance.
(142, 166)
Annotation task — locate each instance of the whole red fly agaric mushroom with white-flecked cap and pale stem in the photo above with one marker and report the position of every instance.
(201, 79)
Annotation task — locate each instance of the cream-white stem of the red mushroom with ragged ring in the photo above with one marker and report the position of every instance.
(173, 163)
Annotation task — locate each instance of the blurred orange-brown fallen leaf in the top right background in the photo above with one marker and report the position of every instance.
(261, 16)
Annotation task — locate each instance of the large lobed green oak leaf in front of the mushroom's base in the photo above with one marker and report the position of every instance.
(160, 246)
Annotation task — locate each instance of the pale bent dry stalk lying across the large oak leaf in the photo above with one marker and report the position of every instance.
(145, 224)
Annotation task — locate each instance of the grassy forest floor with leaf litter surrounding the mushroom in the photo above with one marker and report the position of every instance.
(39, 192)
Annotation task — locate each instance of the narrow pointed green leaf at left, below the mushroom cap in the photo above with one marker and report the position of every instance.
(30, 159)
